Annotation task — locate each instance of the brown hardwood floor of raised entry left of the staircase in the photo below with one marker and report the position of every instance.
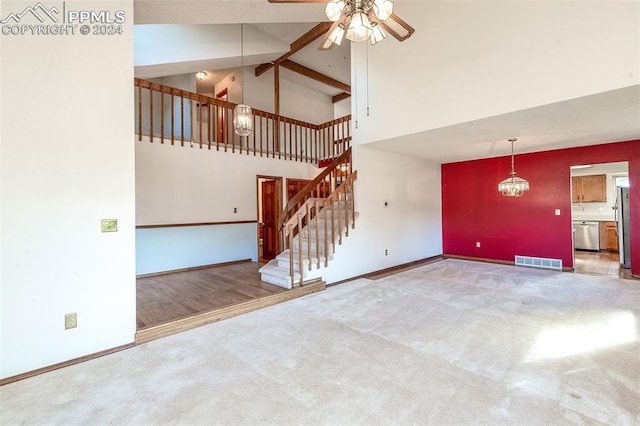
(170, 297)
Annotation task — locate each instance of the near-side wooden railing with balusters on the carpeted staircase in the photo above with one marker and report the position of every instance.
(335, 214)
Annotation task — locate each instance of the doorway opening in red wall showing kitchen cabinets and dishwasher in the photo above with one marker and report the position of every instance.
(598, 232)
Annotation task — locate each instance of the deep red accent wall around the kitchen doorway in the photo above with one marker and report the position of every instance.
(473, 209)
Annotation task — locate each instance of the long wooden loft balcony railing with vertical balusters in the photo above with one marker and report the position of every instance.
(169, 115)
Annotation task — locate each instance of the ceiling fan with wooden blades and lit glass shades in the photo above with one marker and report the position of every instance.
(359, 20)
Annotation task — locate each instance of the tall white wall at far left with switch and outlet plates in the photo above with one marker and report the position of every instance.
(62, 171)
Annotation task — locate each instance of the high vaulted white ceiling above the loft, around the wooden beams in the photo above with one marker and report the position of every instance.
(269, 30)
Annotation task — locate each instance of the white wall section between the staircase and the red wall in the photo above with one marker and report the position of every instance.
(410, 228)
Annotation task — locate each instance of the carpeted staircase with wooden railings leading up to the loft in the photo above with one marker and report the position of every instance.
(313, 230)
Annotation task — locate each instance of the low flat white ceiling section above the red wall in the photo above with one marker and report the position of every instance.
(590, 120)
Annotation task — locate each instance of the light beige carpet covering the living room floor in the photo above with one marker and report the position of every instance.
(453, 342)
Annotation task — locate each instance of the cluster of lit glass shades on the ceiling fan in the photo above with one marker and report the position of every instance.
(358, 20)
